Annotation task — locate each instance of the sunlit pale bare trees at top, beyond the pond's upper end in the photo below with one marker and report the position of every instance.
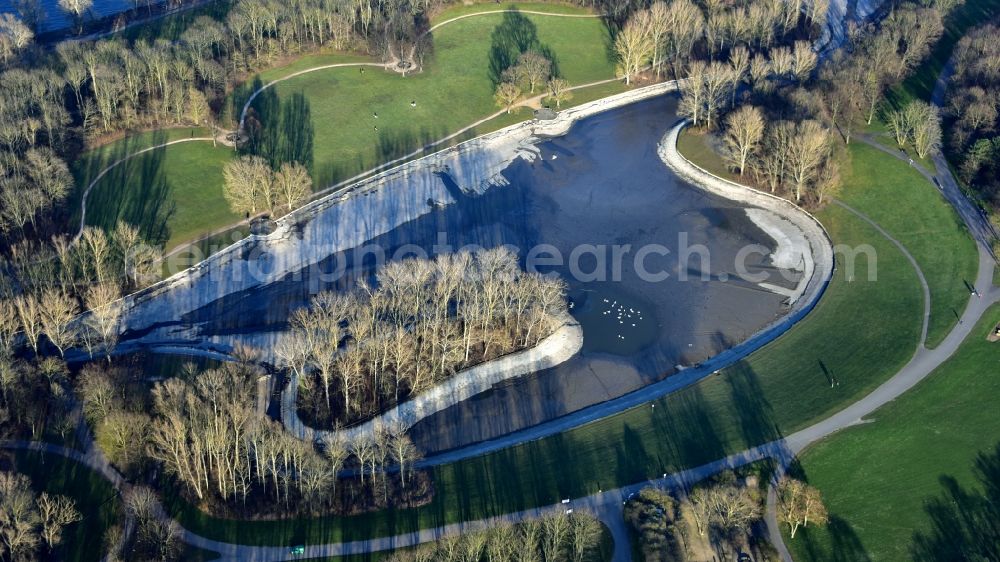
(671, 33)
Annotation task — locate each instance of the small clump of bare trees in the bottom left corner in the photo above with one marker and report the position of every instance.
(30, 521)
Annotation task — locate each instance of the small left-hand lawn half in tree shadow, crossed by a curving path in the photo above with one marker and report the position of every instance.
(173, 194)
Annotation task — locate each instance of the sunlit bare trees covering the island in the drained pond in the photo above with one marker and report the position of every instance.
(422, 321)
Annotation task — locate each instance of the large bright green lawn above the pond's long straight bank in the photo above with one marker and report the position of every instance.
(454, 90)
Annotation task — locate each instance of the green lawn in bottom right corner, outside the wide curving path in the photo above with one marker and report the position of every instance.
(885, 481)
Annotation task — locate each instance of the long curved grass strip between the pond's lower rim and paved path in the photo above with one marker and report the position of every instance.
(861, 333)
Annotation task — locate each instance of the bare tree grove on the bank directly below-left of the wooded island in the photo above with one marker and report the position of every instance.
(205, 432)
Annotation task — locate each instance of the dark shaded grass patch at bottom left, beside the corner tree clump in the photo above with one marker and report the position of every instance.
(96, 499)
